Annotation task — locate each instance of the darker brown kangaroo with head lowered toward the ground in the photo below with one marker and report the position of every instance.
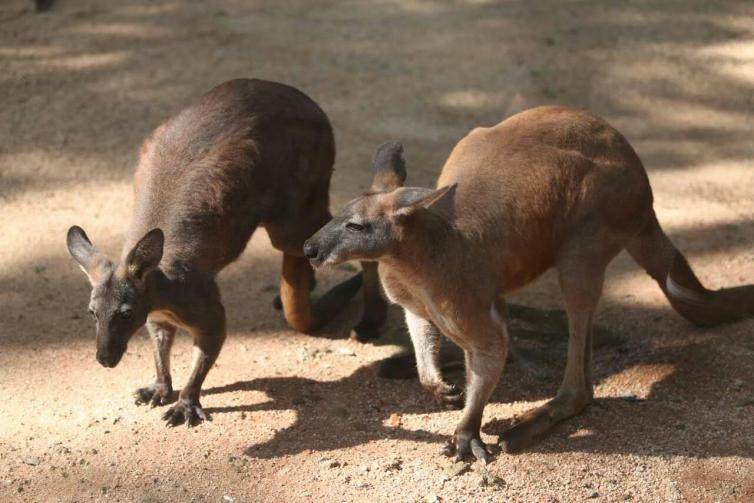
(249, 153)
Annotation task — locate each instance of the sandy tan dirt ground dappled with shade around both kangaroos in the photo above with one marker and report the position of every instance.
(297, 417)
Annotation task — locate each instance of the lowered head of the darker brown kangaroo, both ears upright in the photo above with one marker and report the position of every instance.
(119, 301)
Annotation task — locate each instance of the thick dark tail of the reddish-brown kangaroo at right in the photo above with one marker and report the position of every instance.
(653, 250)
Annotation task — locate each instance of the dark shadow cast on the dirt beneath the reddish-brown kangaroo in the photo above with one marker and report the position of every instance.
(351, 410)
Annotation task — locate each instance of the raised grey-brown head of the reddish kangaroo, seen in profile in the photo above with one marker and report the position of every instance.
(375, 224)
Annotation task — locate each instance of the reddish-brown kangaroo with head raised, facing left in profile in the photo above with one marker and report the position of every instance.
(548, 187)
